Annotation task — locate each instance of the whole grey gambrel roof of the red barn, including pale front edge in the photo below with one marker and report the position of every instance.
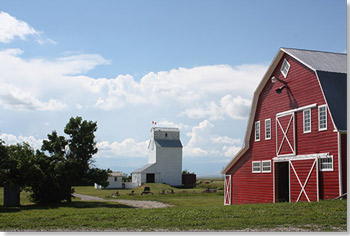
(330, 69)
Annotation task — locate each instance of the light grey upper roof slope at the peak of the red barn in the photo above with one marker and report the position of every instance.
(321, 61)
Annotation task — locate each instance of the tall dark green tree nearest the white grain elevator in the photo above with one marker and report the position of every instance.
(67, 162)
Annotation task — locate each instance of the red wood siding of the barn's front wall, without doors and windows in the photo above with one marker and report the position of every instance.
(304, 89)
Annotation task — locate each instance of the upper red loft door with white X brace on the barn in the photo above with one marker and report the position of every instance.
(285, 134)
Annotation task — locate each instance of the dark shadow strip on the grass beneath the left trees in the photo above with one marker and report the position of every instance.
(74, 204)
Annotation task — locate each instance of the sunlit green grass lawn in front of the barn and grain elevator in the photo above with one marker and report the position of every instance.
(200, 211)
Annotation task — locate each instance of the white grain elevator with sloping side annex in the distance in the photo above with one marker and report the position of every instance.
(164, 159)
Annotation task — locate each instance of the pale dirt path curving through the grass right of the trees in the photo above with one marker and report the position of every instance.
(132, 203)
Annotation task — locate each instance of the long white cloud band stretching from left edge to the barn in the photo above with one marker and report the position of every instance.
(195, 92)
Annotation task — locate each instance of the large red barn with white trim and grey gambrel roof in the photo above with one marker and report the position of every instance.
(295, 143)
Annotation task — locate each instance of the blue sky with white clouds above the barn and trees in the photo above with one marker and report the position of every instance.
(192, 64)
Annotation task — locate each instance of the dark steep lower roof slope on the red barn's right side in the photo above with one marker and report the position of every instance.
(334, 88)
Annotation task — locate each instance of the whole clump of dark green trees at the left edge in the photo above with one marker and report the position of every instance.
(61, 163)
